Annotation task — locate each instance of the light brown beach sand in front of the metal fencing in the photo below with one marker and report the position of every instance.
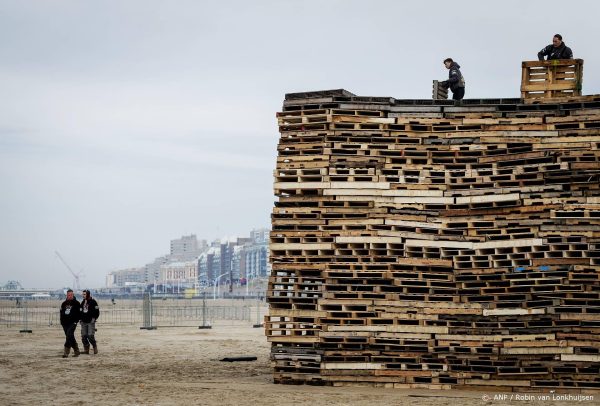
(175, 366)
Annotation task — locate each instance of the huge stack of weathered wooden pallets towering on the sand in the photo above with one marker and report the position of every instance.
(428, 244)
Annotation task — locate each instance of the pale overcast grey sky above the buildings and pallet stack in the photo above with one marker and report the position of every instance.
(125, 124)
